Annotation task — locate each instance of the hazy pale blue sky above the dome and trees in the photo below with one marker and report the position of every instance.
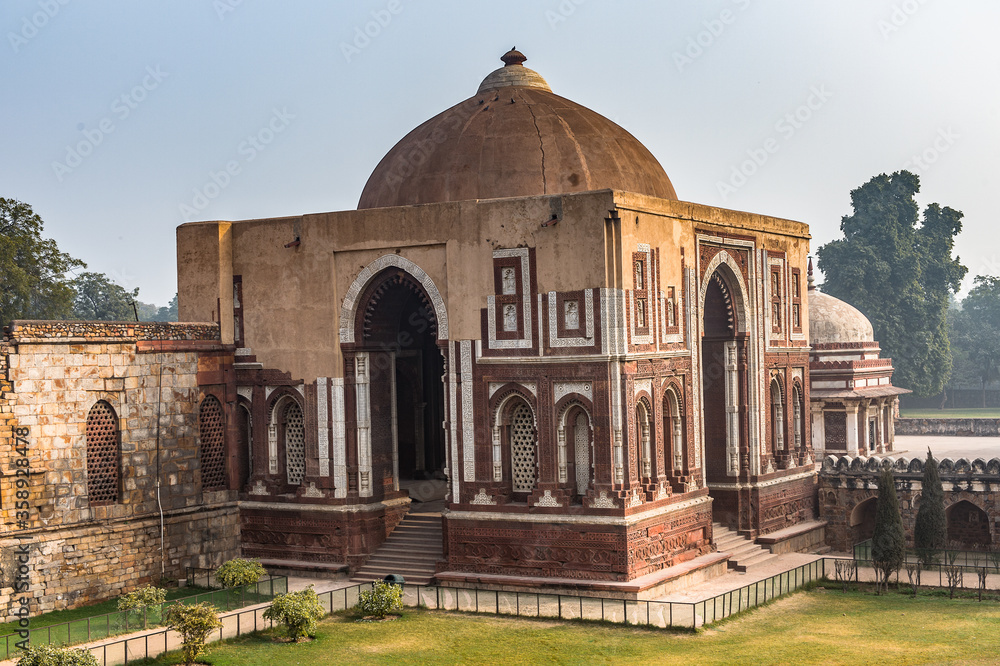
(116, 115)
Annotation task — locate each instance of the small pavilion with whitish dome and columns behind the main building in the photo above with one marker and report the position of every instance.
(854, 403)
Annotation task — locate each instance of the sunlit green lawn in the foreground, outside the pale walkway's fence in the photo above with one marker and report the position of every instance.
(817, 627)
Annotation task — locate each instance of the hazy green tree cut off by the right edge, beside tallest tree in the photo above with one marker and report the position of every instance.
(975, 335)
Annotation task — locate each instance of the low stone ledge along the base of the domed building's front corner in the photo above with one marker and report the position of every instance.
(649, 586)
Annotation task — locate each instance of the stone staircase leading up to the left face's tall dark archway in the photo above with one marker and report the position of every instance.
(412, 550)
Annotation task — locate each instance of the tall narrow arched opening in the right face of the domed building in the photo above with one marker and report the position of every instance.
(721, 381)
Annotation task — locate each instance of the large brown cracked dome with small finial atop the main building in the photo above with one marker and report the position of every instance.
(513, 138)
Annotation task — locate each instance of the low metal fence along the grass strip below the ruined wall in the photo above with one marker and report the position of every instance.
(121, 622)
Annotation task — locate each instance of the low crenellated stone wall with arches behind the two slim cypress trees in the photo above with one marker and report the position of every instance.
(848, 488)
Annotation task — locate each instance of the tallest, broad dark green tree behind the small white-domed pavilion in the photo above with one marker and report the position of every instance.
(899, 274)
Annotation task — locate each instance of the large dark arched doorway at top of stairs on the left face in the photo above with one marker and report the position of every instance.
(397, 328)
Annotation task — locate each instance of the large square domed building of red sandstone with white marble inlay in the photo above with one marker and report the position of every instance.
(522, 306)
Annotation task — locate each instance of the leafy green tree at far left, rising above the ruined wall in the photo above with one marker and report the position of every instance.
(33, 282)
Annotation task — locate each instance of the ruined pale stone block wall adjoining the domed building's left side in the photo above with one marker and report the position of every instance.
(81, 551)
